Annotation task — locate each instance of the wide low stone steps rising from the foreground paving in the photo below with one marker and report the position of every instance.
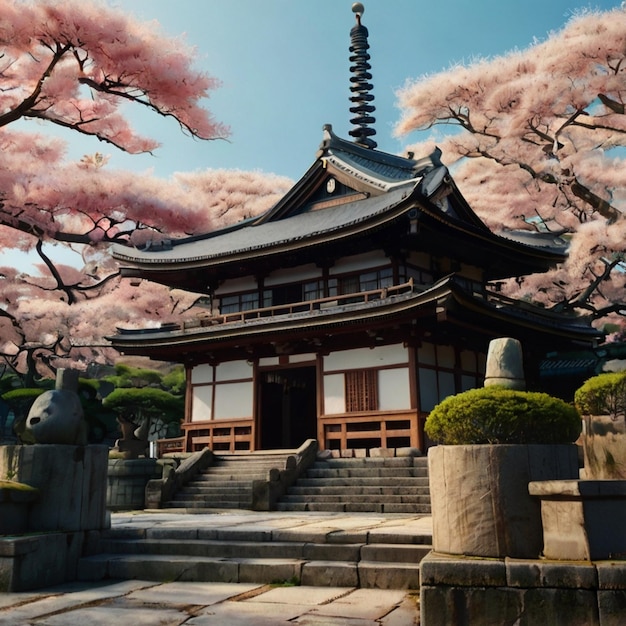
(295, 550)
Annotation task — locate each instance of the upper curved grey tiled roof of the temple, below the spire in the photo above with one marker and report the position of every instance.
(346, 202)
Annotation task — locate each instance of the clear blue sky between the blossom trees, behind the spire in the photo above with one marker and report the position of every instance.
(284, 68)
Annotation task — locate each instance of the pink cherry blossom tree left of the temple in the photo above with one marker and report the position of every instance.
(77, 66)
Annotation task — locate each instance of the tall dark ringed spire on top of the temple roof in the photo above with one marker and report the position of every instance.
(359, 85)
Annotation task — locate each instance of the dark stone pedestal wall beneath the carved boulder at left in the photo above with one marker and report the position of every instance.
(66, 514)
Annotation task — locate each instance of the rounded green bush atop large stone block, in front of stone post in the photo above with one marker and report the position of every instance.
(499, 415)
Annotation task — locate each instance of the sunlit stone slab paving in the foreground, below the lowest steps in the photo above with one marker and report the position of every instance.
(140, 603)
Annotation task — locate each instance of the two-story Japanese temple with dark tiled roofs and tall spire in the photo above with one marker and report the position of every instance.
(350, 308)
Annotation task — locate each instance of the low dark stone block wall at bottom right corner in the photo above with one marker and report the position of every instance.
(467, 590)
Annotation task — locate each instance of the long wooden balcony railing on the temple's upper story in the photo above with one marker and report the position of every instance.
(306, 305)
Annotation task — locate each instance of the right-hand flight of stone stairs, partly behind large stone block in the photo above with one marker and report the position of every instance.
(357, 485)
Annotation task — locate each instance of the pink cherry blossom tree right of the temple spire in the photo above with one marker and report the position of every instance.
(536, 140)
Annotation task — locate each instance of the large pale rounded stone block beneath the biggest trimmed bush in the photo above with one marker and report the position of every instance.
(480, 500)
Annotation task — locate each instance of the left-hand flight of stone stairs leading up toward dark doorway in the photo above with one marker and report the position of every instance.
(227, 484)
